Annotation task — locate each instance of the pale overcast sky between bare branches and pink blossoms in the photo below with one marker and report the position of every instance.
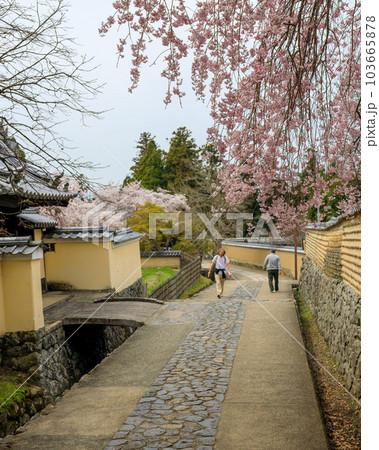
(111, 141)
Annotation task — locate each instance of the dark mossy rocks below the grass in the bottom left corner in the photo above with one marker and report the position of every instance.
(17, 414)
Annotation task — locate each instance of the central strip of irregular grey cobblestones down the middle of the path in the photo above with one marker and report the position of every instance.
(183, 406)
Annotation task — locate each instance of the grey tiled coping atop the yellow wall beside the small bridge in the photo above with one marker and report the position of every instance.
(90, 233)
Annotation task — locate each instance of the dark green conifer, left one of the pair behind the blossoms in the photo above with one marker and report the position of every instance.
(148, 164)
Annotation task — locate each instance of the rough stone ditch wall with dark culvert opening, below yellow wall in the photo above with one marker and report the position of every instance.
(55, 361)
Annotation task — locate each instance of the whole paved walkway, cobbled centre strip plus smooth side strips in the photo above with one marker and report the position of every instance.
(172, 384)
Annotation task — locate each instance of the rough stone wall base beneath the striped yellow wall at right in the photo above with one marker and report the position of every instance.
(336, 308)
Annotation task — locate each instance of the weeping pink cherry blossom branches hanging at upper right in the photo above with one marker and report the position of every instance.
(282, 78)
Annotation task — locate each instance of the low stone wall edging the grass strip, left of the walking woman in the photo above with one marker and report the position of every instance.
(186, 277)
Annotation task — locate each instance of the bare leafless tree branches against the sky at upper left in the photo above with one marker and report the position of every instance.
(42, 82)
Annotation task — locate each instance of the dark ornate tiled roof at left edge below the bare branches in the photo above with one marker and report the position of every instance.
(27, 180)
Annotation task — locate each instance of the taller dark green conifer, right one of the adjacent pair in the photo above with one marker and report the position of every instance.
(182, 160)
